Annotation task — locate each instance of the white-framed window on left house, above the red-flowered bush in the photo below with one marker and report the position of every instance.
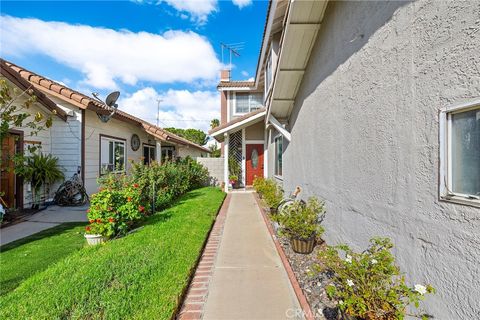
(112, 155)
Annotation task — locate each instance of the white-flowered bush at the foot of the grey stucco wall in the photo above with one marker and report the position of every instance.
(369, 285)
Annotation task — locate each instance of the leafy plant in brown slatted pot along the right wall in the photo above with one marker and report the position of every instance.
(300, 222)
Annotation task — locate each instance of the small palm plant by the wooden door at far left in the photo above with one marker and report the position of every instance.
(39, 170)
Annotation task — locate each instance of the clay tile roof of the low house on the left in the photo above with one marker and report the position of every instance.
(85, 102)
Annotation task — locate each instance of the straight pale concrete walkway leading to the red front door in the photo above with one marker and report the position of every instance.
(248, 280)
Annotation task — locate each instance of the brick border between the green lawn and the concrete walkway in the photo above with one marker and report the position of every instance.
(196, 296)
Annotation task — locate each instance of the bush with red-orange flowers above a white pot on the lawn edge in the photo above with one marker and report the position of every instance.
(116, 207)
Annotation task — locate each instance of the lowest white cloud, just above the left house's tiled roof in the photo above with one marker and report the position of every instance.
(178, 108)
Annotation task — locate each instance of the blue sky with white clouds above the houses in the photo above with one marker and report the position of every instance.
(148, 50)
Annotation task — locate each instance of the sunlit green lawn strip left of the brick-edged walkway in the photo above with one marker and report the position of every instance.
(140, 276)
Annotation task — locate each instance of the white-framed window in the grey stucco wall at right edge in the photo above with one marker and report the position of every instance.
(460, 153)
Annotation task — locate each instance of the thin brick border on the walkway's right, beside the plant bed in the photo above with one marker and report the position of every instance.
(307, 311)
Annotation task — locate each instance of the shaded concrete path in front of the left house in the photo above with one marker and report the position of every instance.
(48, 218)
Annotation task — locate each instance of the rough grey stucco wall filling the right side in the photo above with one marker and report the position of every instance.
(365, 137)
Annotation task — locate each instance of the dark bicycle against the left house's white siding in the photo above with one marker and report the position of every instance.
(71, 193)
